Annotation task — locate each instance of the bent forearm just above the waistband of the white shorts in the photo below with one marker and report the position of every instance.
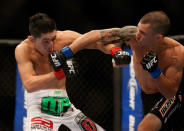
(34, 83)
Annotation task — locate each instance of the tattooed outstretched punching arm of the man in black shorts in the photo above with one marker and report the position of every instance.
(106, 36)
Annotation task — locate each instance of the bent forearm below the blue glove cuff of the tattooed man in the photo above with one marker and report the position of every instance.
(166, 87)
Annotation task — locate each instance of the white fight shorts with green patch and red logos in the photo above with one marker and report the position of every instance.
(51, 110)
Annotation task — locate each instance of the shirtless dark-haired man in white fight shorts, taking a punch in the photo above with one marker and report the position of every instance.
(43, 77)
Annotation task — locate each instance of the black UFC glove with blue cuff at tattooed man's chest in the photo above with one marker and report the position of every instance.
(150, 63)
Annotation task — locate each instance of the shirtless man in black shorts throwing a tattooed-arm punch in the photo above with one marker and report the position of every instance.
(158, 63)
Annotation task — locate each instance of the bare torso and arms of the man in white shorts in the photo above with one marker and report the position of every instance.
(35, 70)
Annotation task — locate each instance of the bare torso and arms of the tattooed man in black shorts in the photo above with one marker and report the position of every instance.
(170, 54)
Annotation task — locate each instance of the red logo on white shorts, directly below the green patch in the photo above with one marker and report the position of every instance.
(42, 124)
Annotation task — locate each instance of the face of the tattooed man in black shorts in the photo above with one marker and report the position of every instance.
(145, 36)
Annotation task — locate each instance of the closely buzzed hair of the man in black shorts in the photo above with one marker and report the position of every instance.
(158, 20)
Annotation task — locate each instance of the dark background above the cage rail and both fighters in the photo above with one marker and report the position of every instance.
(84, 15)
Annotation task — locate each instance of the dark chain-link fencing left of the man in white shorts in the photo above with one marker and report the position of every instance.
(7, 86)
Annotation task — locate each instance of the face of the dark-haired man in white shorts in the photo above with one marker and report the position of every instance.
(45, 43)
